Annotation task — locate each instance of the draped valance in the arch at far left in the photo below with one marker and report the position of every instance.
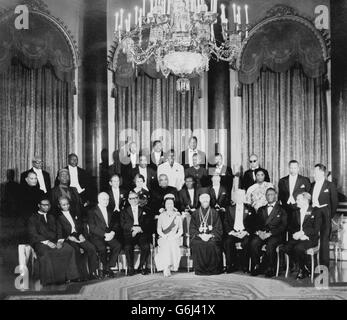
(41, 44)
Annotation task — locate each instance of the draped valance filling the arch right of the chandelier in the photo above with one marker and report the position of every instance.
(278, 44)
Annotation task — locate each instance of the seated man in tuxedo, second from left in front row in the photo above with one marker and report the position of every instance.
(70, 228)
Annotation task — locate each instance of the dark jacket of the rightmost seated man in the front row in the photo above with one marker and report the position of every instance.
(311, 225)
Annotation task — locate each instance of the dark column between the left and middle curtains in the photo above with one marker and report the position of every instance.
(95, 86)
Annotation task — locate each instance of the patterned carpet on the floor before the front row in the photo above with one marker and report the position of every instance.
(184, 286)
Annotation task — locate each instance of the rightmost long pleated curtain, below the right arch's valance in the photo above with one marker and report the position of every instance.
(284, 117)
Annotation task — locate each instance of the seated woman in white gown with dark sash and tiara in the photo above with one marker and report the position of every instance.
(170, 230)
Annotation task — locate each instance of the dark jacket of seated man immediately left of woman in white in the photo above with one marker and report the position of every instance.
(127, 221)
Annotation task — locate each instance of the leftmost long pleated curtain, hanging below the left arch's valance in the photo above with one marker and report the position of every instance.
(36, 110)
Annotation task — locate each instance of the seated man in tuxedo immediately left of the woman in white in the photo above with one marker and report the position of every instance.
(136, 225)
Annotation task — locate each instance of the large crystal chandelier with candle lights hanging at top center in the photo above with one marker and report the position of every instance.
(179, 36)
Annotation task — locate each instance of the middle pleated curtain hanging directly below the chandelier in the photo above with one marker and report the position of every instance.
(153, 106)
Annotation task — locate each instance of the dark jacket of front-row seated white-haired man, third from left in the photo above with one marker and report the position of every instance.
(97, 224)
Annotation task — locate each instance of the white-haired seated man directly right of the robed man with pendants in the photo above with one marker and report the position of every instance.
(238, 229)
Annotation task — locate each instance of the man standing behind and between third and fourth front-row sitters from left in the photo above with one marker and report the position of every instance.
(117, 194)
